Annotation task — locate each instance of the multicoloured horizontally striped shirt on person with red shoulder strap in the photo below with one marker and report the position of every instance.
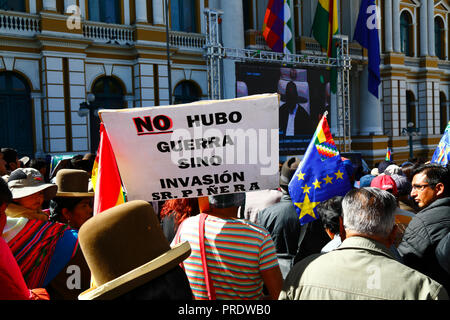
(236, 252)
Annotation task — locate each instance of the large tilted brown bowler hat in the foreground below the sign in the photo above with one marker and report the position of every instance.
(125, 248)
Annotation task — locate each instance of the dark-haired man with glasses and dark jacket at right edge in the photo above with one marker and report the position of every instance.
(431, 192)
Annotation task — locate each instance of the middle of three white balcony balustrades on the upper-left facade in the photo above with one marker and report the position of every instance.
(108, 33)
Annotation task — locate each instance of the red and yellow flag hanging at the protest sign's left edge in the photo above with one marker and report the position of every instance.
(105, 176)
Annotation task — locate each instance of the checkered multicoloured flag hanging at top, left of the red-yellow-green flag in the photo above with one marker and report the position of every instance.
(277, 28)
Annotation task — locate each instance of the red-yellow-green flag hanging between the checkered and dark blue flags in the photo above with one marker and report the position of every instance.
(325, 26)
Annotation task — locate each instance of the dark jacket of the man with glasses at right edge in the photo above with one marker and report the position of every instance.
(422, 236)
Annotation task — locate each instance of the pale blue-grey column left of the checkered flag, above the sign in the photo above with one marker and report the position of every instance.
(233, 22)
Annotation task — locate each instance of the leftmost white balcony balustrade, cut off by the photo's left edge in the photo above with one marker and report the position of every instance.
(21, 23)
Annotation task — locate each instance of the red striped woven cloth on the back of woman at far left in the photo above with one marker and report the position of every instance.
(33, 248)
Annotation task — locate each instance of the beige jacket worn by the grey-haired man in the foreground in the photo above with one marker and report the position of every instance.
(359, 269)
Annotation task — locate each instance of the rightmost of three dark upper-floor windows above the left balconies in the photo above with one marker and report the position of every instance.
(183, 15)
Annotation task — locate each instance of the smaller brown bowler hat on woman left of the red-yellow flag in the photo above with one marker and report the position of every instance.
(73, 183)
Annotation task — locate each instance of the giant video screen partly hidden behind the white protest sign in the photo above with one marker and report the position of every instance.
(304, 97)
